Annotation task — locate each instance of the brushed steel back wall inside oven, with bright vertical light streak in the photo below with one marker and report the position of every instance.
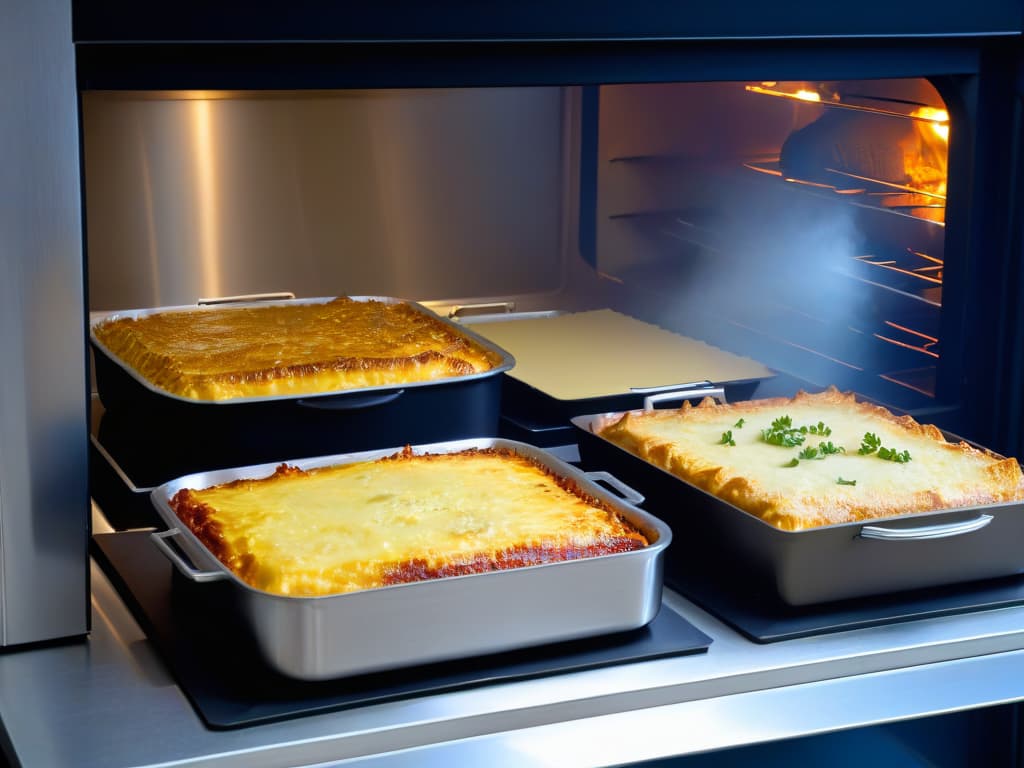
(423, 194)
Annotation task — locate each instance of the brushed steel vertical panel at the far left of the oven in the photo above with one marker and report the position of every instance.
(45, 502)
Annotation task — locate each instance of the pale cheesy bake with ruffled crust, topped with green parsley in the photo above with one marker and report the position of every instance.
(840, 485)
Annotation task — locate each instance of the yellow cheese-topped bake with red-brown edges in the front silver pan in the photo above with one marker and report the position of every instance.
(403, 519)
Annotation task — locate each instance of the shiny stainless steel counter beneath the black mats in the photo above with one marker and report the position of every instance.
(109, 701)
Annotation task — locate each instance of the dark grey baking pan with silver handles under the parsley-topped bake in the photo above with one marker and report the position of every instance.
(815, 566)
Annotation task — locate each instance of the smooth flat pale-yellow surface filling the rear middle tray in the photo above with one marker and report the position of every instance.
(550, 353)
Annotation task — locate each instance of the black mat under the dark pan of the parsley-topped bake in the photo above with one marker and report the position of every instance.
(764, 619)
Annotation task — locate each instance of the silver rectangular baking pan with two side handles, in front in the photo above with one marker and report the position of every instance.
(316, 638)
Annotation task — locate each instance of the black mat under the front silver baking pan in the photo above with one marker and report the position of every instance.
(231, 687)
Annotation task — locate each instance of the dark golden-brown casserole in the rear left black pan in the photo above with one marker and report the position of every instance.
(283, 350)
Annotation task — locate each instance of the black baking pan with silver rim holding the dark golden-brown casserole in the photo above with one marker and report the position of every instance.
(224, 434)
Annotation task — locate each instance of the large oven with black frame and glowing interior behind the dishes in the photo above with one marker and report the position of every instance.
(843, 211)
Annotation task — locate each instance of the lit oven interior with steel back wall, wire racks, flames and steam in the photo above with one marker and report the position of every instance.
(802, 225)
